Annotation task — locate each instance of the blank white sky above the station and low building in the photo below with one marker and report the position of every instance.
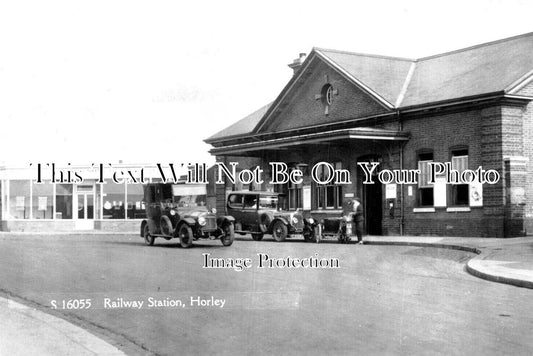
(146, 82)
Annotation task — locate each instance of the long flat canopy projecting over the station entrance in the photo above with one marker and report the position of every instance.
(360, 133)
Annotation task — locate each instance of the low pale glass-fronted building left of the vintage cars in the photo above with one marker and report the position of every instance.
(98, 202)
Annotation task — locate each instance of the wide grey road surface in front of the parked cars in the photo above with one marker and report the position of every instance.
(381, 299)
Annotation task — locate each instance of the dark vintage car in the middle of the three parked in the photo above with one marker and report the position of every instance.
(257, 213)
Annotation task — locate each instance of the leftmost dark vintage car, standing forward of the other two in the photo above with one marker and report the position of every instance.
(180, 211)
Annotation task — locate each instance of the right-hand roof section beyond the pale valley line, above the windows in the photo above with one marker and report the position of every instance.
(482, 69)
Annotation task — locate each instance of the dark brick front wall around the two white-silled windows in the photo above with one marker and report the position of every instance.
(477, 129)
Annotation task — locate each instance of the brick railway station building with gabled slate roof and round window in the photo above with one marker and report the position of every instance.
(471, 107)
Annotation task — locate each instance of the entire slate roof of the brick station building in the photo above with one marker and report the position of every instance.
(496, 67)
